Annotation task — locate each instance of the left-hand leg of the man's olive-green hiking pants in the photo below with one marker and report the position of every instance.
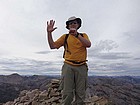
(68, 84)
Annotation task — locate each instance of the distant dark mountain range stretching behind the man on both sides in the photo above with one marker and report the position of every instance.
(119, 90)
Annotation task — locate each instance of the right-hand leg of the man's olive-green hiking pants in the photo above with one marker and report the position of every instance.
(81, 84)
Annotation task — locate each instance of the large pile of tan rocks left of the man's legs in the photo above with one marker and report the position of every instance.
(36, 97)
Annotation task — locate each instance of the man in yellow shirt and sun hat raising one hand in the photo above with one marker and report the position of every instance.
(74, 70)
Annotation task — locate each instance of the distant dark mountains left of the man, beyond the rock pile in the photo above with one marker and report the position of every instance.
(11, 85)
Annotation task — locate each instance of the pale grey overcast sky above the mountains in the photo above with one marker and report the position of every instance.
(112, 26)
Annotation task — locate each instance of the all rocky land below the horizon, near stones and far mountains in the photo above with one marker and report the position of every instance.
(44, 90)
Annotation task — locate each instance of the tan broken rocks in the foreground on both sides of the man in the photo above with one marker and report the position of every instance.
(52, 96)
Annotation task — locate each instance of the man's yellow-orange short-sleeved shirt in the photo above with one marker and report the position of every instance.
(75, 50)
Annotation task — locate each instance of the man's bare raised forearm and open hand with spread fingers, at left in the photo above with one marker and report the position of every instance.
(50, 29)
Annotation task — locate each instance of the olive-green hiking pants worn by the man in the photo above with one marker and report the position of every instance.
(74, 84)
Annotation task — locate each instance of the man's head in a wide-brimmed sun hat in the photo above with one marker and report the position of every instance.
(73, 22)
